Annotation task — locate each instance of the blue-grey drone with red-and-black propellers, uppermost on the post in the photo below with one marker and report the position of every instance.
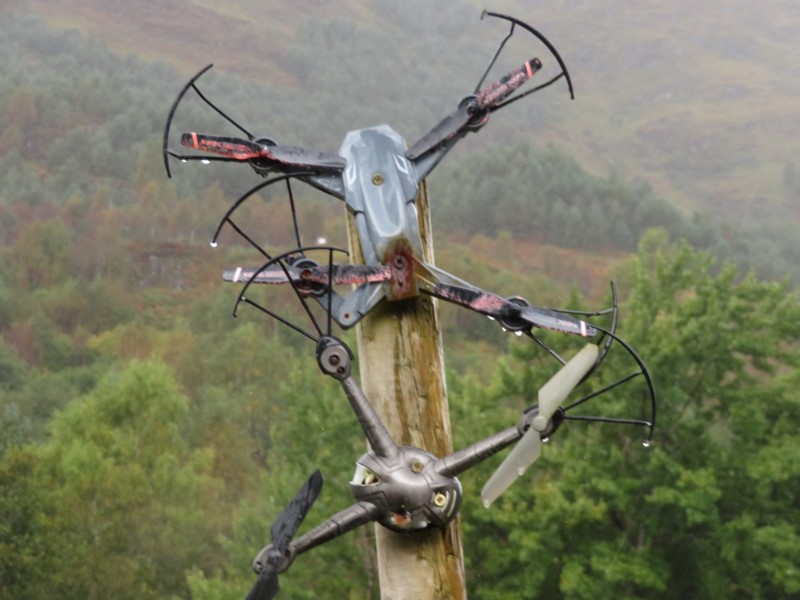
(378, 178)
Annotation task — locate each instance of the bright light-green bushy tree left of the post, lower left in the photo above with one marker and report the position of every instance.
(135, 507)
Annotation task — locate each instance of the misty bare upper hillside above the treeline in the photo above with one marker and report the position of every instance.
(696, 100)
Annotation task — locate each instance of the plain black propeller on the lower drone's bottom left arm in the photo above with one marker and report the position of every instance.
(266, 587)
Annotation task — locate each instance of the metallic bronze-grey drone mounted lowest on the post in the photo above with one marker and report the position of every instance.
(405, 488)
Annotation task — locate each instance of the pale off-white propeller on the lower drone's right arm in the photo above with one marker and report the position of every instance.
(551, 395)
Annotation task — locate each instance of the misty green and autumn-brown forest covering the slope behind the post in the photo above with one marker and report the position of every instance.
(148, 439)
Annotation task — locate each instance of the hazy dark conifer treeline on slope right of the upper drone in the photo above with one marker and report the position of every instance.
(545, 194)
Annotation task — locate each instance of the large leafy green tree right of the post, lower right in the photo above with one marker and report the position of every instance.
(712, 509)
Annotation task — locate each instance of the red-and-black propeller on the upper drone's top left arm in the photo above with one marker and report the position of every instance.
(242, 149)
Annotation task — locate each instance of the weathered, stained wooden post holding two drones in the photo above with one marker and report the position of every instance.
(402, 373)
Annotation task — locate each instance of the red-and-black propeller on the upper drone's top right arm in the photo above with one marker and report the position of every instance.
(473, 110)
